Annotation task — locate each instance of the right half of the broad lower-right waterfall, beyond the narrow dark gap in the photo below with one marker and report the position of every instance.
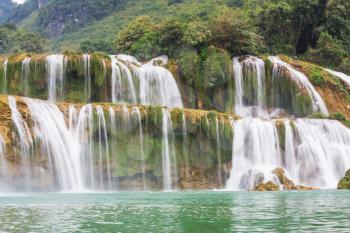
(322, 152)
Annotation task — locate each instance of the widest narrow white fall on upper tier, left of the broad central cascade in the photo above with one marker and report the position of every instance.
(55, 74)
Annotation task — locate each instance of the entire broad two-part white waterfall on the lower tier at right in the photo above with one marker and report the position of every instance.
(316, 152)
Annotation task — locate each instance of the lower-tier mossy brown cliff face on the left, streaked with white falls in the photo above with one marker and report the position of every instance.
(127, 145)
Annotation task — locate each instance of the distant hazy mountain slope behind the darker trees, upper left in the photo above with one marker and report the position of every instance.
(69, 23)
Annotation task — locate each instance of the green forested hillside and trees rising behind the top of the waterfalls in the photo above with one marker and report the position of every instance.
(314, 30)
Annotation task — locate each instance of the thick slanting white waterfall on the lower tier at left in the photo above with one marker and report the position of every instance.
(58, 144)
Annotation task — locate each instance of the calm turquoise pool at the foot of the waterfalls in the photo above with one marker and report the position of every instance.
(192, 212)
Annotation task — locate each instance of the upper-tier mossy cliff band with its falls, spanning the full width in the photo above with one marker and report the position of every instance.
(214, 87)
